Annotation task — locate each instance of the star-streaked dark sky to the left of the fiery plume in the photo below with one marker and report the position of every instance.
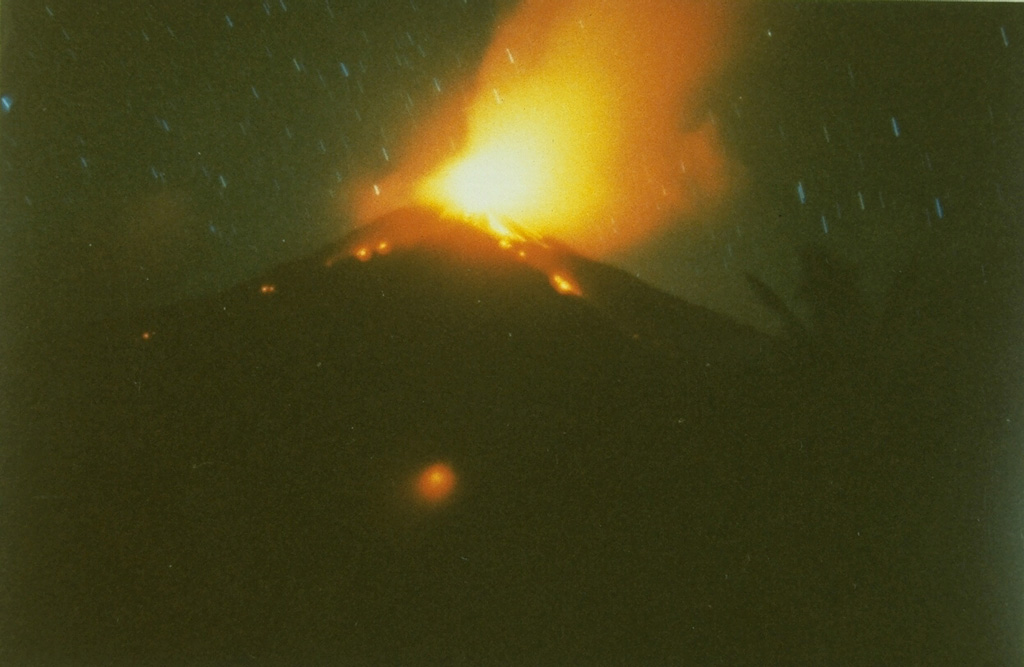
(177, 149)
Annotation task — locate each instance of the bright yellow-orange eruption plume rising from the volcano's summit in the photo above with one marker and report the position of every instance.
(586, 123)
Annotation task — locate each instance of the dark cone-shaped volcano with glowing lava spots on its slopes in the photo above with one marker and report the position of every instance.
(626, 477)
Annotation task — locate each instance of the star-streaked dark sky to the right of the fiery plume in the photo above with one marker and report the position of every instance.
(886, 135)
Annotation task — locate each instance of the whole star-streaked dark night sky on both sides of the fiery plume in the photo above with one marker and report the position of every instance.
(151, 150)
